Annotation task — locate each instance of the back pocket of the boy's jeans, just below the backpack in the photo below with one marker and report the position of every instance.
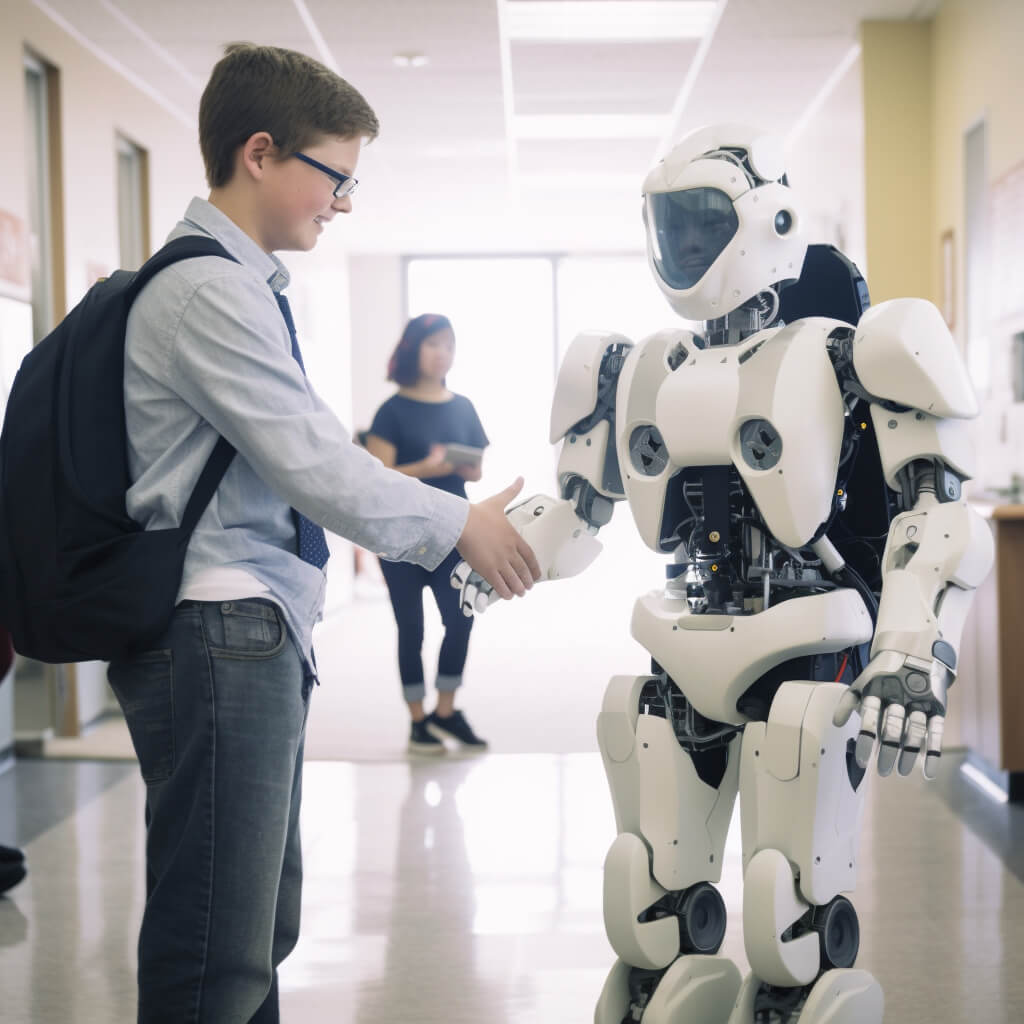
(145, 689)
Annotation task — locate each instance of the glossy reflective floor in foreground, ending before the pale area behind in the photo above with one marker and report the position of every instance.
(463, 891)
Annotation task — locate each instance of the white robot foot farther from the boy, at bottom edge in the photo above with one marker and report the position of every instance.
(842, 996)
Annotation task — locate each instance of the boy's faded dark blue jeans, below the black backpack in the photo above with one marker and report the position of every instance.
(218, 714)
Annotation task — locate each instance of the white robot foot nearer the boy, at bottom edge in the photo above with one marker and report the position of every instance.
(698, 990)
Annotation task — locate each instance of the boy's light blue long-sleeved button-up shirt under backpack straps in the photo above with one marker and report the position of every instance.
(208, 355)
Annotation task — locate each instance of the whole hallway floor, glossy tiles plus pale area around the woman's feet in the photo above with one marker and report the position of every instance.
(467, 890)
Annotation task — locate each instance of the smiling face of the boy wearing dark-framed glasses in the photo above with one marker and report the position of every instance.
(298, 199)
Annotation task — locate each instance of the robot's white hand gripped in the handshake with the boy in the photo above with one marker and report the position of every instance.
(561, 540)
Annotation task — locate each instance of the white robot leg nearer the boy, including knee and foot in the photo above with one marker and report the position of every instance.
(664, 918)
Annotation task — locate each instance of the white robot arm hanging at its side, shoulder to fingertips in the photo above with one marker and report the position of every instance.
(940, 550)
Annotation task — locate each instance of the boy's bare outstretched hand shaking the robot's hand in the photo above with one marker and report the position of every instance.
(495, 549)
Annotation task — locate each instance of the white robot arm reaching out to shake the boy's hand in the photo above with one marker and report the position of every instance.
(562, 531)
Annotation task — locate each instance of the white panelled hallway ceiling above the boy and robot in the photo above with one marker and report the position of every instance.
(450, 172)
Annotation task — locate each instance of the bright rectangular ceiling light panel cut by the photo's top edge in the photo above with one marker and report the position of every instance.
(609, 21)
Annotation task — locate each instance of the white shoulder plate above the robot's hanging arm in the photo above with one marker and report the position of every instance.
(905, 354)
